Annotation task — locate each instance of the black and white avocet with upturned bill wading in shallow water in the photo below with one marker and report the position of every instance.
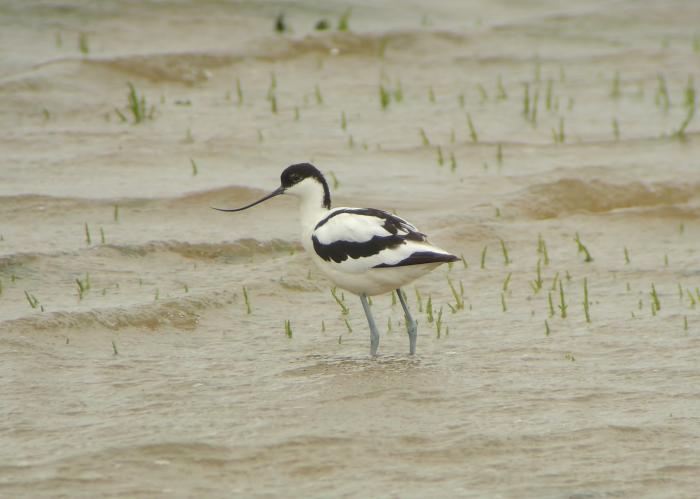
(362, 250)
